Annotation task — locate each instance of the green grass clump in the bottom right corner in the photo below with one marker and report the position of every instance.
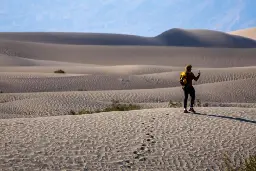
(248, 165)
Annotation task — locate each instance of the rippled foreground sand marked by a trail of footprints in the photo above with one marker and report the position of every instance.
(152, 139)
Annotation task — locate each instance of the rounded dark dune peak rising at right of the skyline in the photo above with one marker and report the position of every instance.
(204, 38)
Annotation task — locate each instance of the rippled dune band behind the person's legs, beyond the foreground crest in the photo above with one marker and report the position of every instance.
(60, 103)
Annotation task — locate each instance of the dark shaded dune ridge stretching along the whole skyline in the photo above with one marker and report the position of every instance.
(172, 37)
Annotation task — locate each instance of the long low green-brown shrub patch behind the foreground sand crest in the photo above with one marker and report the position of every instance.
(115, 106)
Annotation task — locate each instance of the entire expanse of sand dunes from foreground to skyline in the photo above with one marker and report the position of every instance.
(39, 132)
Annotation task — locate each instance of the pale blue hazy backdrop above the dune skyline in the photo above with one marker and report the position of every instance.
(140, 17)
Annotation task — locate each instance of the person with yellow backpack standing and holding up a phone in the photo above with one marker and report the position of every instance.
(186, 79)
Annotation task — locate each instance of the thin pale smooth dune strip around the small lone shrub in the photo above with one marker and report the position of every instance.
(94, 69)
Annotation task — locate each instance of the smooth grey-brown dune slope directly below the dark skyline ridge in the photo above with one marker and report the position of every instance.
(131, 55)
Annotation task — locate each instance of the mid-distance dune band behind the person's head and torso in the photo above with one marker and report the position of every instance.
(113, 78)
